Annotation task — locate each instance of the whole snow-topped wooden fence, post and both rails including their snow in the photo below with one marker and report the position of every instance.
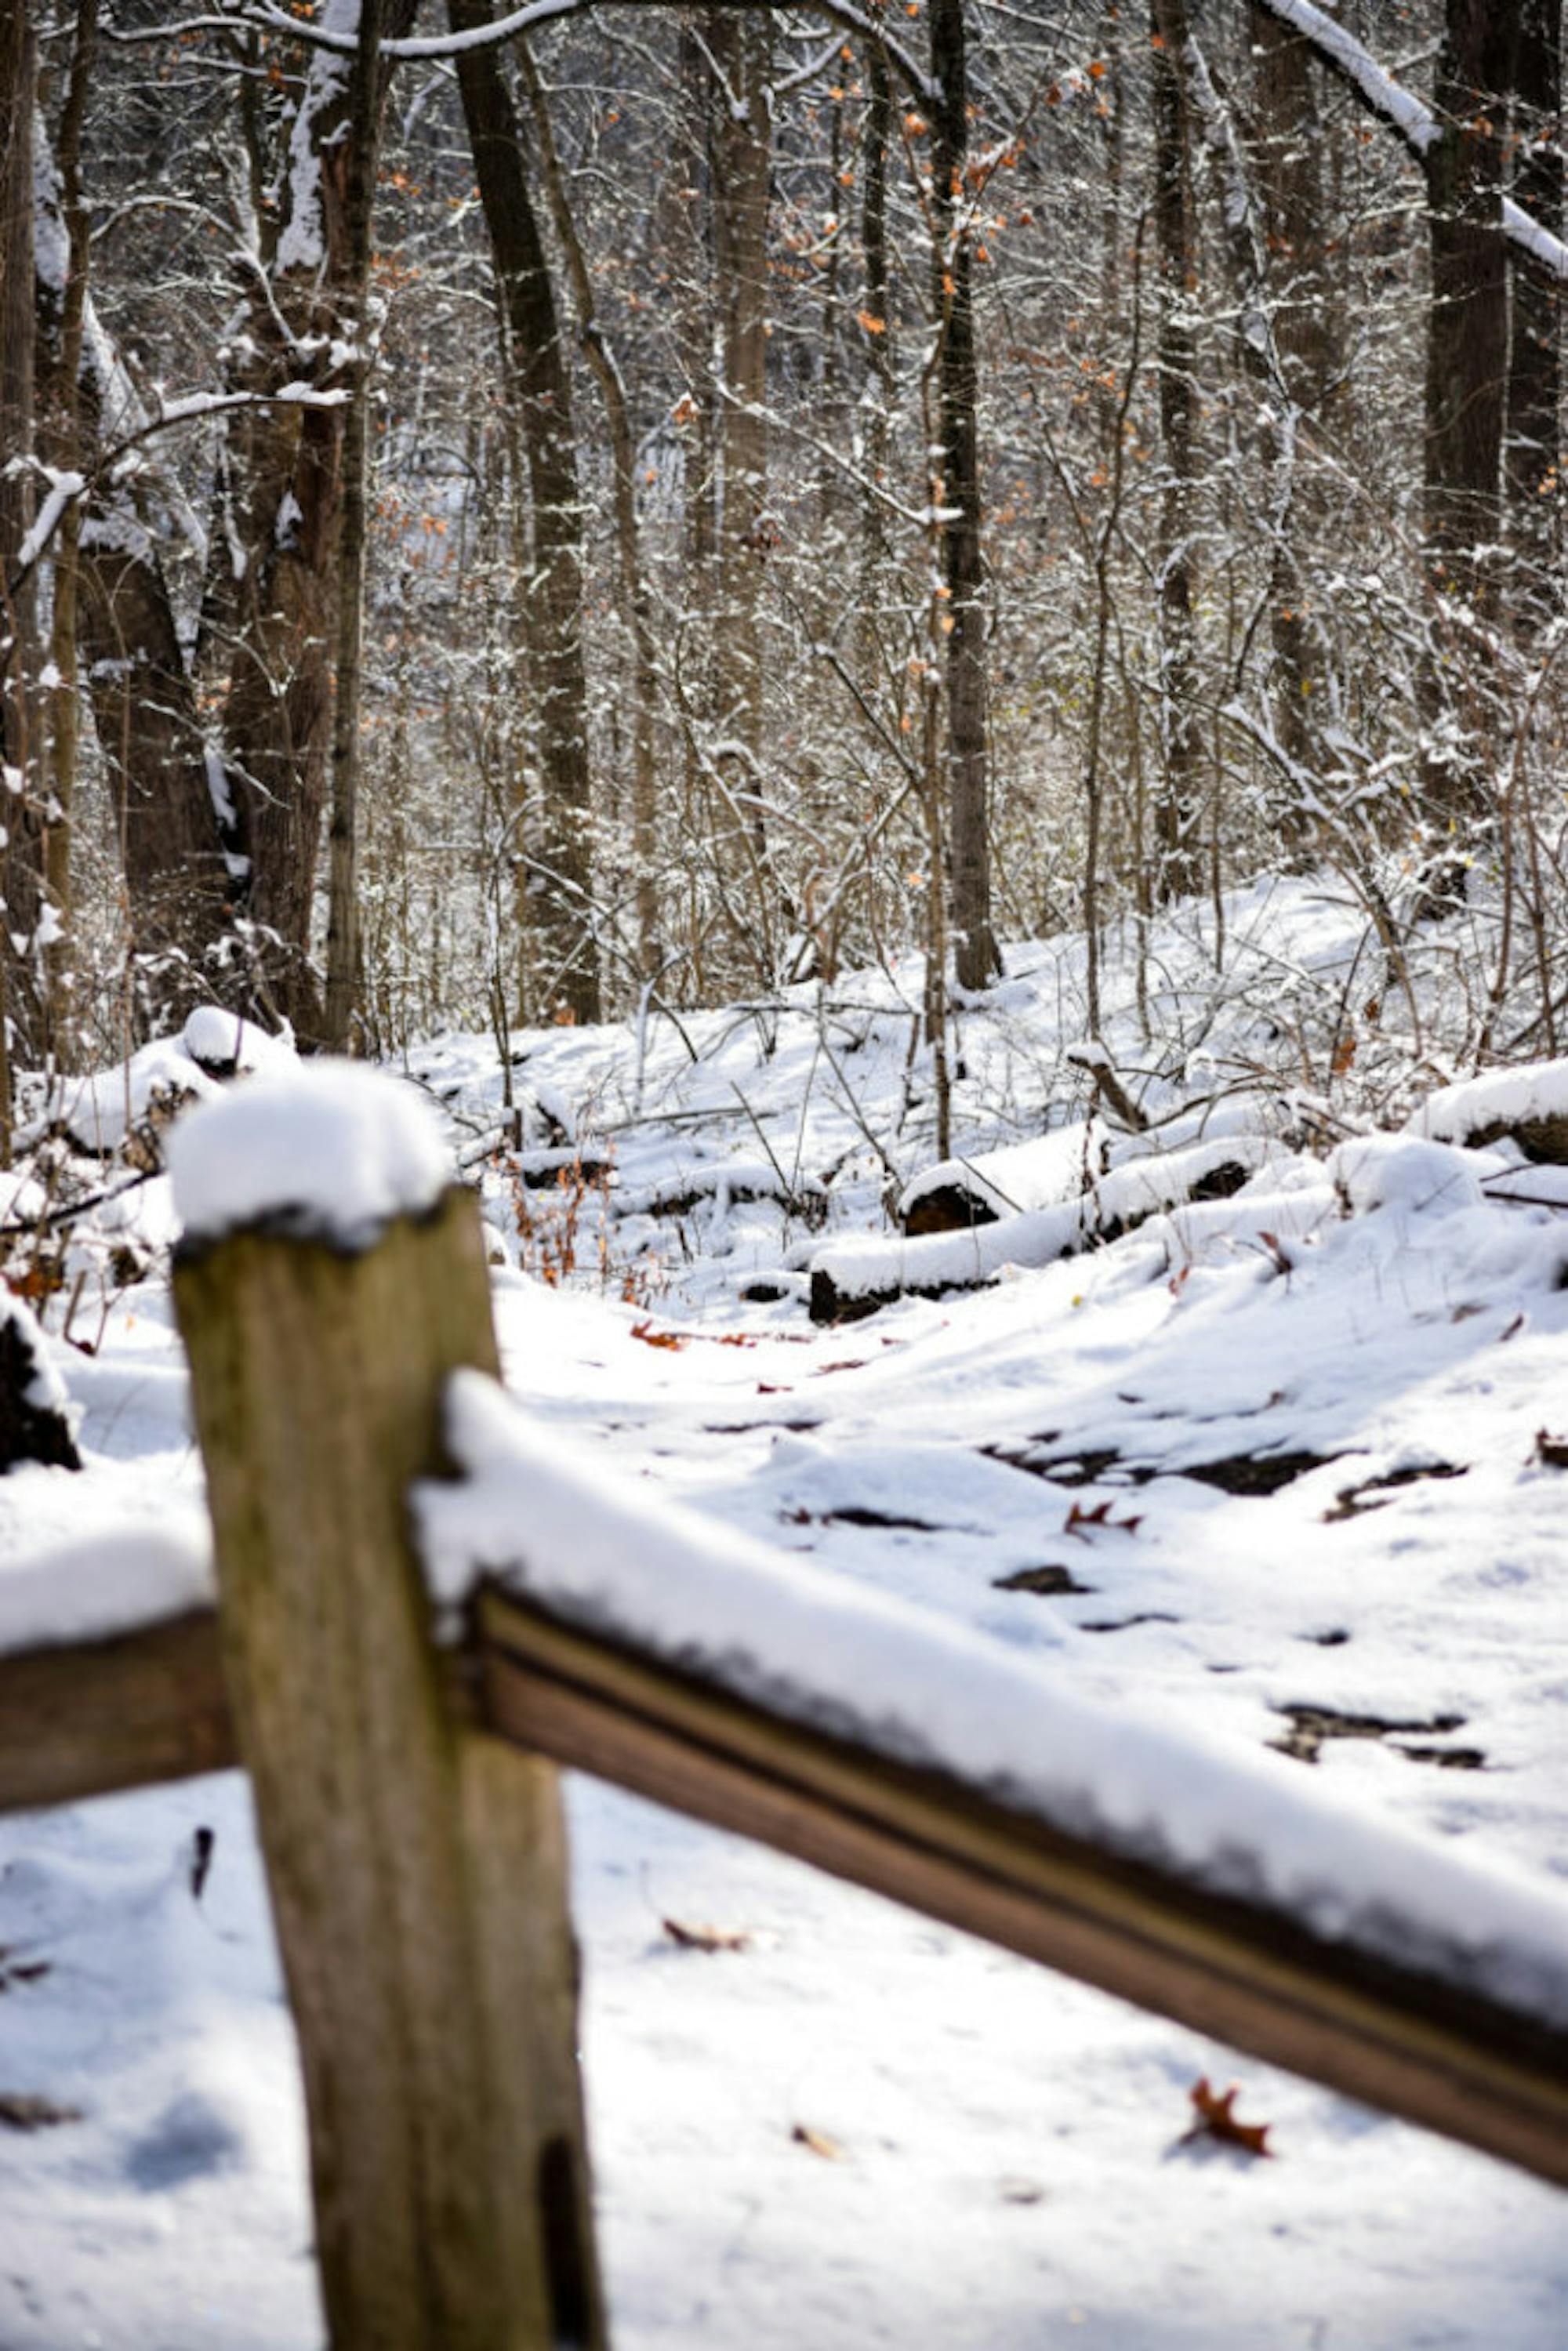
(406, 1788)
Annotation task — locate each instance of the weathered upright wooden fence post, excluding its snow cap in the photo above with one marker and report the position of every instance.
(417, 1866)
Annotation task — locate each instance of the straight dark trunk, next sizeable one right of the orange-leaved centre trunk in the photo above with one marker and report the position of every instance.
(1177, 808)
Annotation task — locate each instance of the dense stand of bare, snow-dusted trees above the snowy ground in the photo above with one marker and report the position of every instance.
(504, 521)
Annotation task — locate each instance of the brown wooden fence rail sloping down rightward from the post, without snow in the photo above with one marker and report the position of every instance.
(1332, 2011)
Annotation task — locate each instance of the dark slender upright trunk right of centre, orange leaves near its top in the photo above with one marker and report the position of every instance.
(956, 495)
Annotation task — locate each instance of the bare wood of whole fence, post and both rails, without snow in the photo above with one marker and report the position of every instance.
(413, 1833)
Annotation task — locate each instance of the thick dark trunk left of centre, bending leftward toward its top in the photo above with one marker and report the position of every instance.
(558, 902)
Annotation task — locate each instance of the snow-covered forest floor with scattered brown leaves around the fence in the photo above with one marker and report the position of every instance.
(1278, 1468)
